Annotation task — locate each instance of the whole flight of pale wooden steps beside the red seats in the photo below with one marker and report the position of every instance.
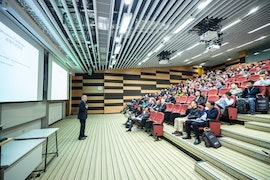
(245, 151)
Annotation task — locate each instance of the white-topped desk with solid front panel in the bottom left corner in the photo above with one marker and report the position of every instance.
(20, 158)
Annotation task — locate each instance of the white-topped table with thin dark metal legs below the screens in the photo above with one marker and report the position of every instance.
(41, 134)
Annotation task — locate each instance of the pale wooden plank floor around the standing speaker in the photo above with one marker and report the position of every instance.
(109, 152)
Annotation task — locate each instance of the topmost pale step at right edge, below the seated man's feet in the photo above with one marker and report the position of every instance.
(264, 118)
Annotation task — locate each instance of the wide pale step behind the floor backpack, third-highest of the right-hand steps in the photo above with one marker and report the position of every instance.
(252, 136)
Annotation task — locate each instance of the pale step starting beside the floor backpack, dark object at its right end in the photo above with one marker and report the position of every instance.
(251, 150)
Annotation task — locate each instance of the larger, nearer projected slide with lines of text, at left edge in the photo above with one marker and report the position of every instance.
(18, 67)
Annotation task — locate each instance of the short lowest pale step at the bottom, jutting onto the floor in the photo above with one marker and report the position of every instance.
(209, 171)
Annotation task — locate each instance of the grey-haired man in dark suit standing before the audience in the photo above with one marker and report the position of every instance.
(82, 116)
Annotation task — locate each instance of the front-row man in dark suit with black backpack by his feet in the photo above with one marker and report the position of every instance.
(208, 113)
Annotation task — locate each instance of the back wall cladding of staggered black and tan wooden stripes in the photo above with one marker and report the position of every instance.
(108, 91)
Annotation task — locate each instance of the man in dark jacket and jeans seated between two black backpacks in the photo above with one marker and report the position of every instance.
(249, 95)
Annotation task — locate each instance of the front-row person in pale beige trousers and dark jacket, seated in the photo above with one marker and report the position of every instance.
(193, 113)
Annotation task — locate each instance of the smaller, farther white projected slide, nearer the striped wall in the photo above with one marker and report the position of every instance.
(59, 83)
